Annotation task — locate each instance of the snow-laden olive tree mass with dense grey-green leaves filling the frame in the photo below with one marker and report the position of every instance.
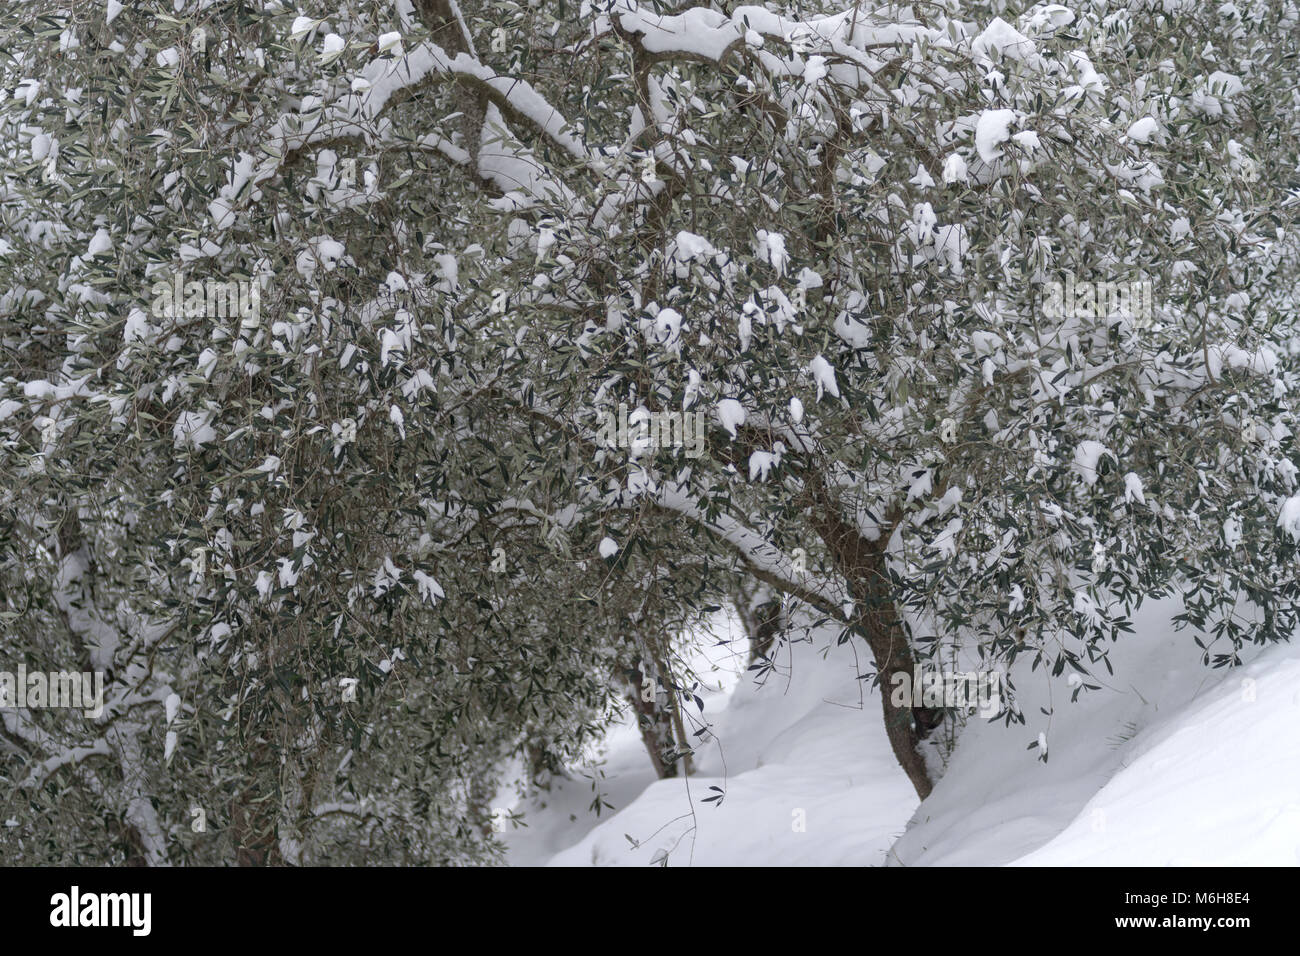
(354, 353)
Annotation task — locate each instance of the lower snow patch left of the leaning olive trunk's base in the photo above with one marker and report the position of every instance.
(803, 762)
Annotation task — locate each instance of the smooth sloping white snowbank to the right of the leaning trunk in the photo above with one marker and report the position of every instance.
(1171, 764)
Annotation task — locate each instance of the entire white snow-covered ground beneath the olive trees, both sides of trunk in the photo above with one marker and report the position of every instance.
(1171, 763)
